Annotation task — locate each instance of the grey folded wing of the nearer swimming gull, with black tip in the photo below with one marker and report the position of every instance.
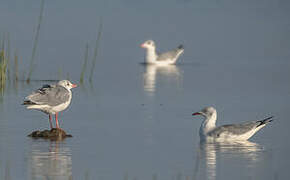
(238, 129)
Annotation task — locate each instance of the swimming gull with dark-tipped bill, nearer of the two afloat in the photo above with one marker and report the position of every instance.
(231, 132)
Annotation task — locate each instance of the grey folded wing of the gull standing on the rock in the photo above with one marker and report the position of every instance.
(51, 95)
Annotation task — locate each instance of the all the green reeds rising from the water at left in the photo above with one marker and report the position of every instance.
(9, 62)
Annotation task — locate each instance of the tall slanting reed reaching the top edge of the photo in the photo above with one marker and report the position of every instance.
(31, 66)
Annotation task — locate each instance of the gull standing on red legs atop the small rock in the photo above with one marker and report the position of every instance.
(51, 99)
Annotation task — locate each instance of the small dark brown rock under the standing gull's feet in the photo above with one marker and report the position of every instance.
(53, 134)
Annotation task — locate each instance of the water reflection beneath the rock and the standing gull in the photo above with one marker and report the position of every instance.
(50, 160)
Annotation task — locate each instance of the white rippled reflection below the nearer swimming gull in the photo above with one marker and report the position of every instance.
(209, 151)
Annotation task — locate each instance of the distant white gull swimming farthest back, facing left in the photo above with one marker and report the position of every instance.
(166, 58)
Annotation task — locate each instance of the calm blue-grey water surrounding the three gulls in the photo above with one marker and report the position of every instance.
(134, 122)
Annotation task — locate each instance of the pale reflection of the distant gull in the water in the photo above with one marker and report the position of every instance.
(152, 72)
